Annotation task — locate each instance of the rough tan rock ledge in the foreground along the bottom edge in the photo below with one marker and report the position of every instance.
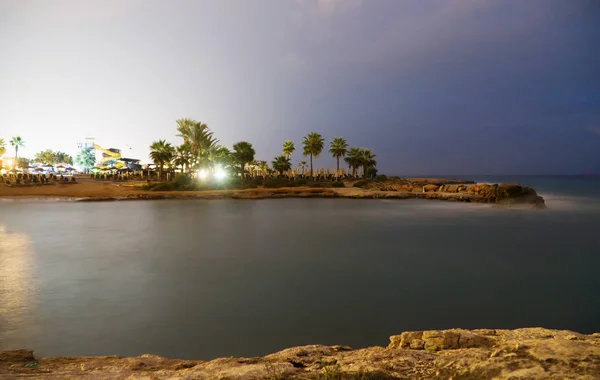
(530, 353)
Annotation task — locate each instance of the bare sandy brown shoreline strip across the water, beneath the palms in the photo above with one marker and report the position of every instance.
(97, 191)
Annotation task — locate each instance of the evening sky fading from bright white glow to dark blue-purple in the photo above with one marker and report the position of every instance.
(431, 86)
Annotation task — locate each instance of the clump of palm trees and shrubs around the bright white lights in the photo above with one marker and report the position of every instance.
(201, 156)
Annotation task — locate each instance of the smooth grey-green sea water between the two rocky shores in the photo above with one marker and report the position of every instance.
(202, 279)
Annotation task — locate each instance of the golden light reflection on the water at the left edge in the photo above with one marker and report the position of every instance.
(16, 282)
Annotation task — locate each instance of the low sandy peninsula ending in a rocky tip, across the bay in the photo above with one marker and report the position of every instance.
(86, 189)
